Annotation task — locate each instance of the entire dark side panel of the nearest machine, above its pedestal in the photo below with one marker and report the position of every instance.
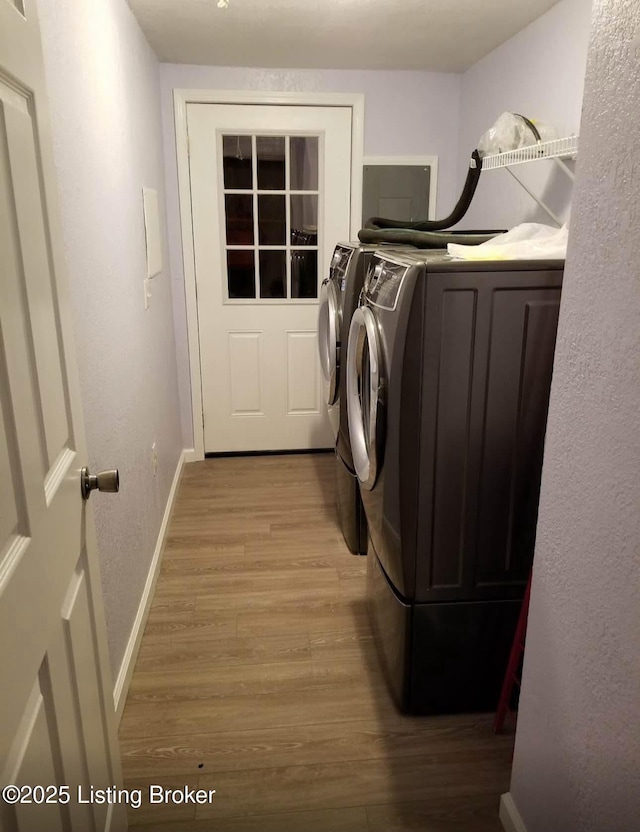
(488, 360)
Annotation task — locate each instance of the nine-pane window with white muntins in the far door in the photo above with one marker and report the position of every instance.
(276, 226)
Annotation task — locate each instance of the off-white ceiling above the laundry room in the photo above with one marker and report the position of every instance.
(437, 35)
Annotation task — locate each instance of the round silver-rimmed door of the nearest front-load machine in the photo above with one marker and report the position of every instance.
(365, 398)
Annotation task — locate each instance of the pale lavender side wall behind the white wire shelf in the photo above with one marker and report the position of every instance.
(539, 73)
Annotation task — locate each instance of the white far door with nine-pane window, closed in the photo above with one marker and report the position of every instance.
(270, 191)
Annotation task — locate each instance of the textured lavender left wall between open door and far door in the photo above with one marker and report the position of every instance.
(105, 107)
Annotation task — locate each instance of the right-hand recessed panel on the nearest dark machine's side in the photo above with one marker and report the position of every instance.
(520, 366)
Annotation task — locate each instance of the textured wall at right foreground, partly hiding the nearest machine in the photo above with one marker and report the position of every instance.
(577, 757)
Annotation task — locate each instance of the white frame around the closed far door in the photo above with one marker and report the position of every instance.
(182, 97)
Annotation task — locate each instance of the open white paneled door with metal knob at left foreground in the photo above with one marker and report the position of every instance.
(57, 720)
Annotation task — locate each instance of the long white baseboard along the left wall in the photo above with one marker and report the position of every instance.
(128, 662)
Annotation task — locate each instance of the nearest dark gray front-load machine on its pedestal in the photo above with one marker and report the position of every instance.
(448, 378)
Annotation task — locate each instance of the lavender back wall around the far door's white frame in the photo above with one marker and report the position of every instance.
(424, 104)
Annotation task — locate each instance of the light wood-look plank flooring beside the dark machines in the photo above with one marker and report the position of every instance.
(257, 676)
